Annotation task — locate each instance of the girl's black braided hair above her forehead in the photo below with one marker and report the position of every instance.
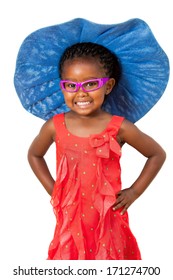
(87, 49)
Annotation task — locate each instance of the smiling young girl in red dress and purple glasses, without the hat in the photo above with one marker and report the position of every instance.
(87, 196)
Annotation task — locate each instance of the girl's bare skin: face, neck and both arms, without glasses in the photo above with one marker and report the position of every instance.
(85, 118)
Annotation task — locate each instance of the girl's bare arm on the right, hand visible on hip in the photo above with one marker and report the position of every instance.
(155, 155)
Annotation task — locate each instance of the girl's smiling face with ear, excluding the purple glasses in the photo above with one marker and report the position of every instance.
(80, 70)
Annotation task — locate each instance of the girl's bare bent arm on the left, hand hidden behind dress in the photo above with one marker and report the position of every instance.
(36, 153)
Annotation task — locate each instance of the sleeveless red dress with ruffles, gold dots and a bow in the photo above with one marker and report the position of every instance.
(88, 178)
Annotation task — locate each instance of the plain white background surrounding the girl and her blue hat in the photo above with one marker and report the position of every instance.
(26, 218)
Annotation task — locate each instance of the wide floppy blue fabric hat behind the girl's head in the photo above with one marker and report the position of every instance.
(145, 66)
